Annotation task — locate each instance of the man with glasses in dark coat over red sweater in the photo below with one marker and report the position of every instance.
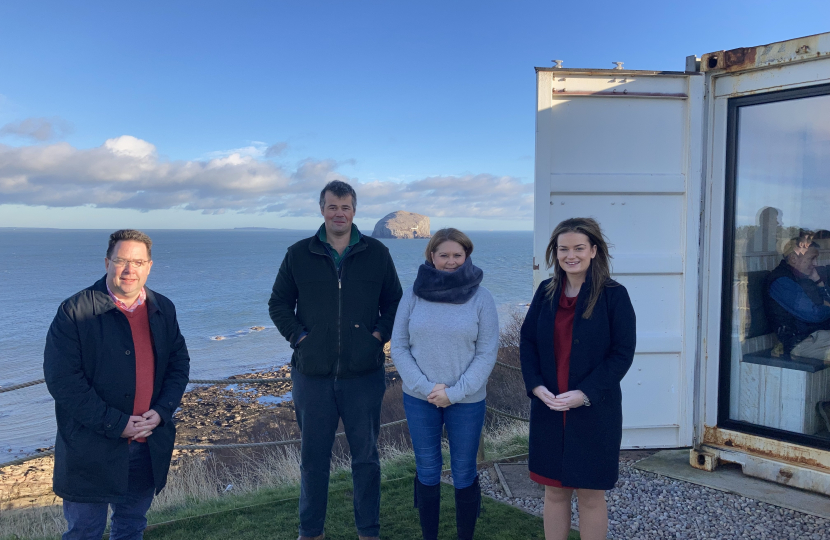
(117, 366)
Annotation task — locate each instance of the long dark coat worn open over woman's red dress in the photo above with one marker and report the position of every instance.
(585, 454)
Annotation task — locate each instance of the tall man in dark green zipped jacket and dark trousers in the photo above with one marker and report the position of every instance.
(334, 300)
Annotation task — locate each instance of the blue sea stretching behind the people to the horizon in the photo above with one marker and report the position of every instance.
(220, 282)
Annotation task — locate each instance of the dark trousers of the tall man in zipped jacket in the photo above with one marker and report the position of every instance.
(320, 403)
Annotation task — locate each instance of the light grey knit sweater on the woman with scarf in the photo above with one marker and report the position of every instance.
(452, 344)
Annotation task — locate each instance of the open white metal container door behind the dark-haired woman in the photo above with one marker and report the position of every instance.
(624, 147)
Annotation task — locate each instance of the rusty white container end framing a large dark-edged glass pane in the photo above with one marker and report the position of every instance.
(766, 317)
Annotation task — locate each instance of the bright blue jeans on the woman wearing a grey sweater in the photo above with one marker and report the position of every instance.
(464, 422)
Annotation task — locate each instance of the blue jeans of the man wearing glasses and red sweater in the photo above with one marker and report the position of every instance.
(87, 521)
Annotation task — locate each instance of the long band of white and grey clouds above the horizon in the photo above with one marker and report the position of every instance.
(126, 172)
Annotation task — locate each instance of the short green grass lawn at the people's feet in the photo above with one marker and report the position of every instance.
(278, 520)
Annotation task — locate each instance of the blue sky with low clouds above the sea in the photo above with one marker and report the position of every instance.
(219, 115)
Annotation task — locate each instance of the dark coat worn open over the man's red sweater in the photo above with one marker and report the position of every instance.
(89, 365)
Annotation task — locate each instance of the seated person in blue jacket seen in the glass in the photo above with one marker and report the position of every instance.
(797, 302)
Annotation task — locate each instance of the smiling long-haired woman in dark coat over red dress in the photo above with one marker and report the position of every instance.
(577, 343)
